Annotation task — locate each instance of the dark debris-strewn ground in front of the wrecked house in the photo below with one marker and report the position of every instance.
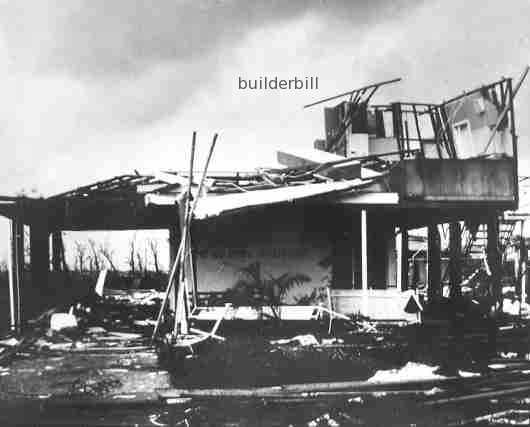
(105, 373)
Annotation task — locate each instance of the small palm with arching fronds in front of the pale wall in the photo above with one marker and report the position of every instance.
(256, 289)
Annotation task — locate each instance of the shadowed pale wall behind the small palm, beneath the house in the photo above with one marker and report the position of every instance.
(286, 246)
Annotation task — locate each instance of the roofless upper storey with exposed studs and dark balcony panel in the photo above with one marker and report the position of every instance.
(462, 150)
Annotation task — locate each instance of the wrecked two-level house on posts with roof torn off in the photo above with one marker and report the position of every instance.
(337, 216)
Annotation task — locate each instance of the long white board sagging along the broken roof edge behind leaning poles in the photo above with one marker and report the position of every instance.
(211, 206)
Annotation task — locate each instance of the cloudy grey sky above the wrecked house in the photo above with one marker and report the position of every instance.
(90, 89)
